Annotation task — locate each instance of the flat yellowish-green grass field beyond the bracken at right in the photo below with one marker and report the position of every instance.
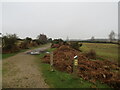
(106, 51)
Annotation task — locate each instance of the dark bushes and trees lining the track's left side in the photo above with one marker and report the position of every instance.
(12, 43)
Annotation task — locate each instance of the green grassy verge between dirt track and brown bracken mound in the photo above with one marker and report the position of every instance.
(59, 79)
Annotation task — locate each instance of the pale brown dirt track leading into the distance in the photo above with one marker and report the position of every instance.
(21, 71)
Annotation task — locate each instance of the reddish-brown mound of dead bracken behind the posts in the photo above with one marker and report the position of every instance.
(92, 70)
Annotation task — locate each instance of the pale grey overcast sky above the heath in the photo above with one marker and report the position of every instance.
(77, 20)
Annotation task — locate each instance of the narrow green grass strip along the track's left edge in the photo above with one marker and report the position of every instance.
(4, 56)
